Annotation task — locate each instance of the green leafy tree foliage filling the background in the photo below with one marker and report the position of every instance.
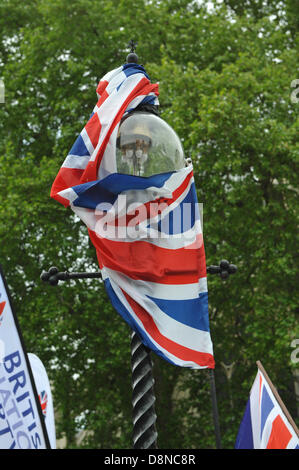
(225, 78)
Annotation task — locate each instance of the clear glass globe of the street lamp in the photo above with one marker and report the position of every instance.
(147, 145)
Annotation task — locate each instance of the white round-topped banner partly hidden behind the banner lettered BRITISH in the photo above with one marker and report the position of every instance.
(45, 396)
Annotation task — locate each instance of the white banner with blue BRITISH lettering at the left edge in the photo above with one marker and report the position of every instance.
(22, 424)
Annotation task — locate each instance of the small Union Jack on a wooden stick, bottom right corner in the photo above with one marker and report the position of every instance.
(265, 425)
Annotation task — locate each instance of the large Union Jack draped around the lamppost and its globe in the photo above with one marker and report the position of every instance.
(146, 230)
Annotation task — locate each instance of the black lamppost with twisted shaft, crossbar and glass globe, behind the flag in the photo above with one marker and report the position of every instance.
(146, 145)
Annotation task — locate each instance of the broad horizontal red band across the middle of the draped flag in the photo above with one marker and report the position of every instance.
(146, 261)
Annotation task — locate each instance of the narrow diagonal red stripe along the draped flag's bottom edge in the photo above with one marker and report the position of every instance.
(181, 352)
